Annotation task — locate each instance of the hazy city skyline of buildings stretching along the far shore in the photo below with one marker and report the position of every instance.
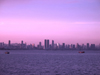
(47, 46)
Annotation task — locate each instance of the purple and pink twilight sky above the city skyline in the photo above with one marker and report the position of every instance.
(68, 21)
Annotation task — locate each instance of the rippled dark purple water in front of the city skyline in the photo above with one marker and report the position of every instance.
(43, 62)
